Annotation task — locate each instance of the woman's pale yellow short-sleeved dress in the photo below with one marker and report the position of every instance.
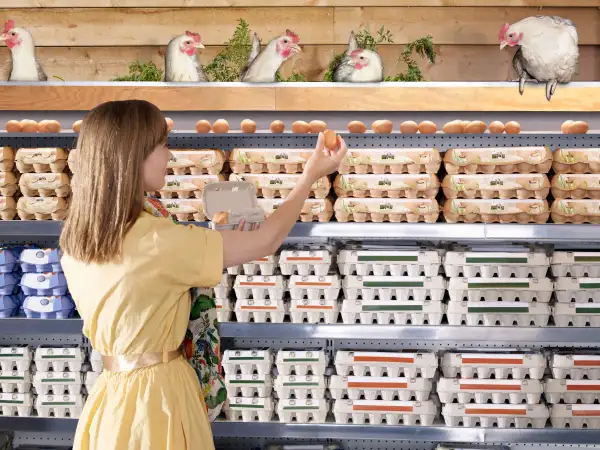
(138, 306)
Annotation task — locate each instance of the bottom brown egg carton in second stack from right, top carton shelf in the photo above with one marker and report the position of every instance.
(492, 211)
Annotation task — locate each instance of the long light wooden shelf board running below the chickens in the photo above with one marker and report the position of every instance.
(54, 96)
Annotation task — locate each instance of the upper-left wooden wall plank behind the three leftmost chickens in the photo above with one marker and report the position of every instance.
(131, 27)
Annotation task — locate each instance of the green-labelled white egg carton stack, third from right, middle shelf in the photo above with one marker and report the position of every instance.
(392, 285)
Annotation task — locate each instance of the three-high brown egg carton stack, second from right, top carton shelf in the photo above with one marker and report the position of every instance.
(505, 184)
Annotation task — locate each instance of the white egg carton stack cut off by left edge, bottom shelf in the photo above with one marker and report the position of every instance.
(16, 398)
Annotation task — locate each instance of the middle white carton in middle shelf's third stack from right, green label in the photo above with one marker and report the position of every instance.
(399, 288)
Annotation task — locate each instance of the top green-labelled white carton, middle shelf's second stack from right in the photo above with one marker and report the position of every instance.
(471, 264)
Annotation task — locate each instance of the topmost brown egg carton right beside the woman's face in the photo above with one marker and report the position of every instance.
(196, 162)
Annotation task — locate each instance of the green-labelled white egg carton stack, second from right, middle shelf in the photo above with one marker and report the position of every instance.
(498, 288)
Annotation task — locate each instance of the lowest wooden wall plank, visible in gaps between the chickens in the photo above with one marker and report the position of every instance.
(455, 62)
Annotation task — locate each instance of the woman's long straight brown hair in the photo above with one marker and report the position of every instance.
(107, 199)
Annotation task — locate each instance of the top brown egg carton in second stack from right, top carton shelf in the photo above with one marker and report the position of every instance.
(498, 160)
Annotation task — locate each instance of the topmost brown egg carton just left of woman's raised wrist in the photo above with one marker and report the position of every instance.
(268, 160)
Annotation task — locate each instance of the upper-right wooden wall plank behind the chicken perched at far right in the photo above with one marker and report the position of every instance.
(466, 26)
